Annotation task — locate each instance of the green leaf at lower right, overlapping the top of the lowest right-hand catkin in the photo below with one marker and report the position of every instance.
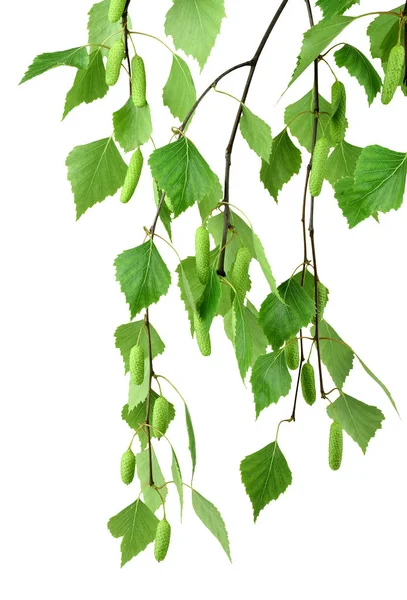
(359, 420)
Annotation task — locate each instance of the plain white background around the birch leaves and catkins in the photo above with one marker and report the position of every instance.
(331, 535)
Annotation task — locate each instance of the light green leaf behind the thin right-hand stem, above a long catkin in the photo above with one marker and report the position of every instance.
(299, 117)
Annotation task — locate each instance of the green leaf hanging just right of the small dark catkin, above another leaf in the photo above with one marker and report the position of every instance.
(335, 354)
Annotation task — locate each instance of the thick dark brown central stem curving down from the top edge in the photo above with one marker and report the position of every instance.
(228, 158)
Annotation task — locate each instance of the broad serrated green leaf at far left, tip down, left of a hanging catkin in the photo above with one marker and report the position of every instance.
(96, 171)
